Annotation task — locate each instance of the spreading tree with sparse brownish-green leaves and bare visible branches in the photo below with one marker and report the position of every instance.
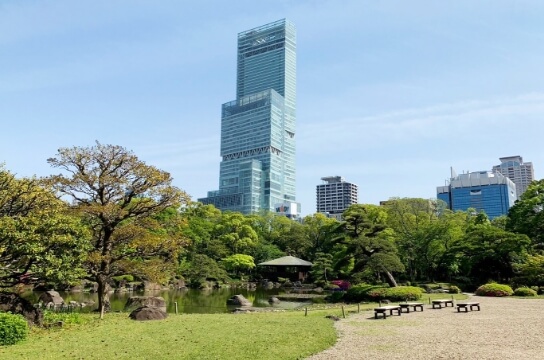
(118, 196)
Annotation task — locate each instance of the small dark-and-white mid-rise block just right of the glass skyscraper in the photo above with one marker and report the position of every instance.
(335, 195)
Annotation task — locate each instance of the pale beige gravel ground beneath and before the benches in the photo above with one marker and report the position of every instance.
(505, 328)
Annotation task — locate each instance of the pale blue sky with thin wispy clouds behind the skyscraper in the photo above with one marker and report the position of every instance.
(390, 93)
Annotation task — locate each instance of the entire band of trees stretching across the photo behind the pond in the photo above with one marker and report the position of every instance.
(107, 213)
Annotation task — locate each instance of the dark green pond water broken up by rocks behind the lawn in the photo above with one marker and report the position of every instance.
(190, 301)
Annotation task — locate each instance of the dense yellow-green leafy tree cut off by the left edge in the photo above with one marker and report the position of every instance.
(39, 240)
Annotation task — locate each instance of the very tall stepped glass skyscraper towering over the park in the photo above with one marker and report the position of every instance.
(257, 170)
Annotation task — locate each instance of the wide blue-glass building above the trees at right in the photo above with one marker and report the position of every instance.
(482, 190)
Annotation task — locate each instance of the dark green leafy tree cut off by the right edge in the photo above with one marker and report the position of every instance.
(527, 214)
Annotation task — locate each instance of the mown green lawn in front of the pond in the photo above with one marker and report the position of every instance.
(275, 335)
